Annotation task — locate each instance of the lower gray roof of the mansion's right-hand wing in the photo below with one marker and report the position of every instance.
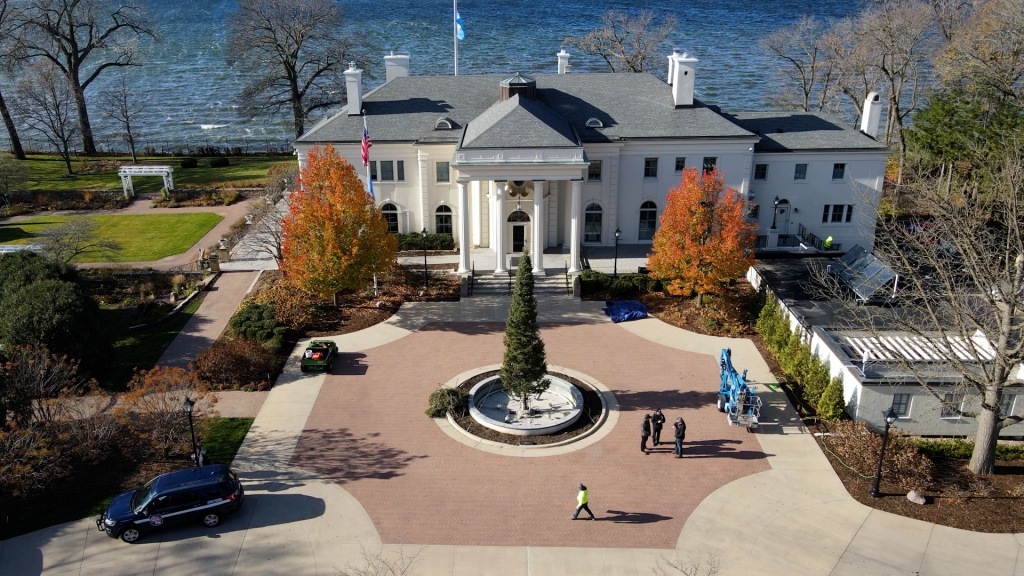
(791, 132)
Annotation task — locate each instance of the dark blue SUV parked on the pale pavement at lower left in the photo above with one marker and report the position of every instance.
(205, 493)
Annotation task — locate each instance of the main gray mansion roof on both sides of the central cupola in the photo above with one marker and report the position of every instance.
(630, 106)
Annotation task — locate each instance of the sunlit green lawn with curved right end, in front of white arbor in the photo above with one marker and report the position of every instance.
(143, 237)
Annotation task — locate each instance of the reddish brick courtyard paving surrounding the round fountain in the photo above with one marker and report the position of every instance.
(369, 434)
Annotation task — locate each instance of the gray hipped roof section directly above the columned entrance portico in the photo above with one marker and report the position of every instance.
(520, 122)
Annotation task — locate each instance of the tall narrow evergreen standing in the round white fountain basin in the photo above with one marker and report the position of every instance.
(525, 364)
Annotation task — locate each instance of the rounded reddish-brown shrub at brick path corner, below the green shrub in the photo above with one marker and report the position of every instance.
(238, 364)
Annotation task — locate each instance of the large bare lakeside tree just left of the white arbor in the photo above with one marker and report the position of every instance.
(83, 38)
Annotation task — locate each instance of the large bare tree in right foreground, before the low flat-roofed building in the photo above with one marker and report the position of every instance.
(962, 284)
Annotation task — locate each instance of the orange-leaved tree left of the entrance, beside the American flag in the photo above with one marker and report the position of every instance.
(333, 237)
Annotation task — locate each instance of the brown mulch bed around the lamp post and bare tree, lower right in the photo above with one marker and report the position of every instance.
(956, 499)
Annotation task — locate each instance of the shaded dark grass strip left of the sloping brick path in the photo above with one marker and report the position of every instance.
(143, 349)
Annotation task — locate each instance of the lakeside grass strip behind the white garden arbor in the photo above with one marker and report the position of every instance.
(49, 173)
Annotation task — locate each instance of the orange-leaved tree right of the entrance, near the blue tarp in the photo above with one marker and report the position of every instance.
(705, 239)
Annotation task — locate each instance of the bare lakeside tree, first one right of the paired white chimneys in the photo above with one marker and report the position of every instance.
(809, 71)
